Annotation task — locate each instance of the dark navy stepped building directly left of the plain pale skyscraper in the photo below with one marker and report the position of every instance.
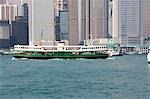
(20, 29)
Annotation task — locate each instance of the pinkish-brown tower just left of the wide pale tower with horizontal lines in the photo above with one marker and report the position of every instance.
(99, 18)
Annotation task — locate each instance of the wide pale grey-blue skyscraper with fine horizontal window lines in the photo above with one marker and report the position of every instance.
(127, 22)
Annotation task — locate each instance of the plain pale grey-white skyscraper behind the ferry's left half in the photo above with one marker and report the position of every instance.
(41, 20)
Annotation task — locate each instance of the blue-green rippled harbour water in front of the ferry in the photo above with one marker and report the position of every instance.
(126, 77)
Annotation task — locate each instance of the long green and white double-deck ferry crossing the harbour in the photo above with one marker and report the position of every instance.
(60, 51)
